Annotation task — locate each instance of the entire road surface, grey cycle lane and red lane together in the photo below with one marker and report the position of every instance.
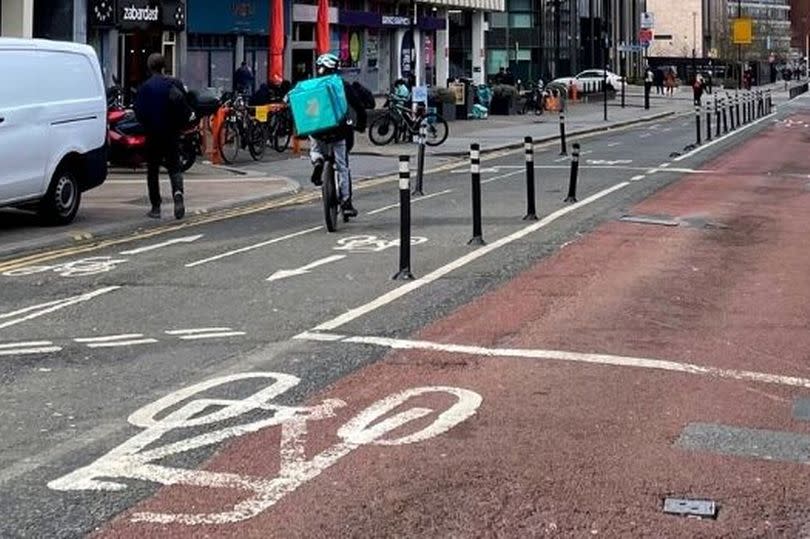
(286, 334)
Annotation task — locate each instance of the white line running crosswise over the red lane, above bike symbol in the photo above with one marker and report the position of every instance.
(579, 357)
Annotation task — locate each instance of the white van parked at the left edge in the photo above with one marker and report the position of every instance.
(53, 126)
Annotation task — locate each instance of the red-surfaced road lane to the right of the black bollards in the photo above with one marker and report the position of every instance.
(641, 362)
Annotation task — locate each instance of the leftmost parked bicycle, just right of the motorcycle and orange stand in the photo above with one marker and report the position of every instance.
(239, 131)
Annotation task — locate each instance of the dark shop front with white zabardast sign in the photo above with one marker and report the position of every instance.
(126, 32)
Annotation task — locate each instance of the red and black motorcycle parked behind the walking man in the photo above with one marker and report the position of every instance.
(126, 137)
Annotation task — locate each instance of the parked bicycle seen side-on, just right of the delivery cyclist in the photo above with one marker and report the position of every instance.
(399, 121)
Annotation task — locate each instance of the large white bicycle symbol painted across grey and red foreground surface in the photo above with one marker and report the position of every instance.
(131, 460)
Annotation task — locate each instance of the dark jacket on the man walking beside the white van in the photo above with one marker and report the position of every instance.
(161, 105)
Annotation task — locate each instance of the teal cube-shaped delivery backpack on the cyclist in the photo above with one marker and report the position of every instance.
(318, 104)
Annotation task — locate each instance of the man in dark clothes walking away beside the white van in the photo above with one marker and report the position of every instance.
(162, 108)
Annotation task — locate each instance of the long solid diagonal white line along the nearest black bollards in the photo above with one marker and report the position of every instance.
(401, 291)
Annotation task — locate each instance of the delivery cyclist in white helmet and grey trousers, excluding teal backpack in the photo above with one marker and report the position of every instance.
(338, 140)
